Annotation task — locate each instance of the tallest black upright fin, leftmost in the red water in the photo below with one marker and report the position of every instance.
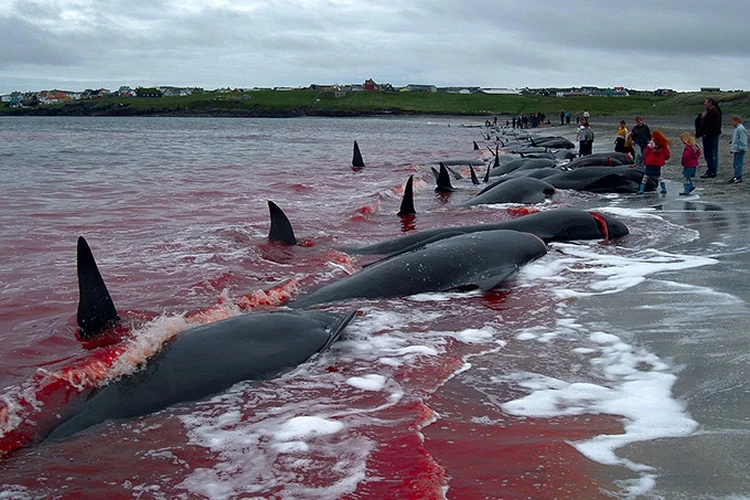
(96, 311)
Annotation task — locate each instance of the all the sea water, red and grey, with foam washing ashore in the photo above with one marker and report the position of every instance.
(604, 369)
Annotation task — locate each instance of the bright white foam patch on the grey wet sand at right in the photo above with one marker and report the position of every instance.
(621, 379)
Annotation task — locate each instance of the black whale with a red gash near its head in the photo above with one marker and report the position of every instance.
(562, 224)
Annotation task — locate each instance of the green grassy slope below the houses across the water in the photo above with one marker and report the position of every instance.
(320, 103)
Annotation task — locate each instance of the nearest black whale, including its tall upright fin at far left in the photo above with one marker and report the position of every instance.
(199, 362)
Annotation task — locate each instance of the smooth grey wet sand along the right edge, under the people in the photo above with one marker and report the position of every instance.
(706, 340)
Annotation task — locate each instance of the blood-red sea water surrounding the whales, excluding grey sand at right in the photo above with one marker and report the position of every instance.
(175, 213)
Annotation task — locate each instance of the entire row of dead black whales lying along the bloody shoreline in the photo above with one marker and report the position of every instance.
(208, 359)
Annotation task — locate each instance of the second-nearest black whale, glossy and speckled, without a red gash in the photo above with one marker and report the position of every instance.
(475, 260)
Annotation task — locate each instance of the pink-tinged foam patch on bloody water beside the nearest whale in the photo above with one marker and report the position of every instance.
(279, 446)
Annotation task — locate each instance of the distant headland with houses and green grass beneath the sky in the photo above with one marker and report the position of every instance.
(368, 99)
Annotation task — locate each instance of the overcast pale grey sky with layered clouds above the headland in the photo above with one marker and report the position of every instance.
(78, 44)
